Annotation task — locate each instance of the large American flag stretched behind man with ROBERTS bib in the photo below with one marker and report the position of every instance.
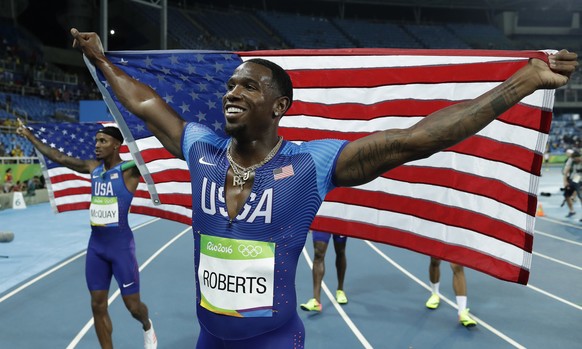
(472, 204)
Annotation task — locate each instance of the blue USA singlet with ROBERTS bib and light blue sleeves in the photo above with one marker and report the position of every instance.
(245, 267)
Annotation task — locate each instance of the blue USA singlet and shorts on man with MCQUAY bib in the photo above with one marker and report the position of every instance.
(111, 249)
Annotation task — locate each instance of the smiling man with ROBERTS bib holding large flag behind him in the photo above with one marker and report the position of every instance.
(254, 195)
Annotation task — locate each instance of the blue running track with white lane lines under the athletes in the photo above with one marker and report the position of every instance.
(44, 302)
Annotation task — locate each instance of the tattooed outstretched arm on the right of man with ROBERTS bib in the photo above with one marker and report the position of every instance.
(367, 158)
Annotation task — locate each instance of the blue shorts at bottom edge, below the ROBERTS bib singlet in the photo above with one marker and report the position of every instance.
(291, 335)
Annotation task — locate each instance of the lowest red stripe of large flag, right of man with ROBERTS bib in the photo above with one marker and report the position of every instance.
(424, 245)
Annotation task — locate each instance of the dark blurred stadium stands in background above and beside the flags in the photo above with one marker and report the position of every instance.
(43, 80)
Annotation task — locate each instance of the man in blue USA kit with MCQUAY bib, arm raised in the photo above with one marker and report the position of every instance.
(111, 249)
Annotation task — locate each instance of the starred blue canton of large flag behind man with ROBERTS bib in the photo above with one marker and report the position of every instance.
(192, 83)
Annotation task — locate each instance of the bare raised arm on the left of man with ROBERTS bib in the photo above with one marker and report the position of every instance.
(138, 98)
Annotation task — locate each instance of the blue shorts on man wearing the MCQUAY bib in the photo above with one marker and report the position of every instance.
(107, 258)
